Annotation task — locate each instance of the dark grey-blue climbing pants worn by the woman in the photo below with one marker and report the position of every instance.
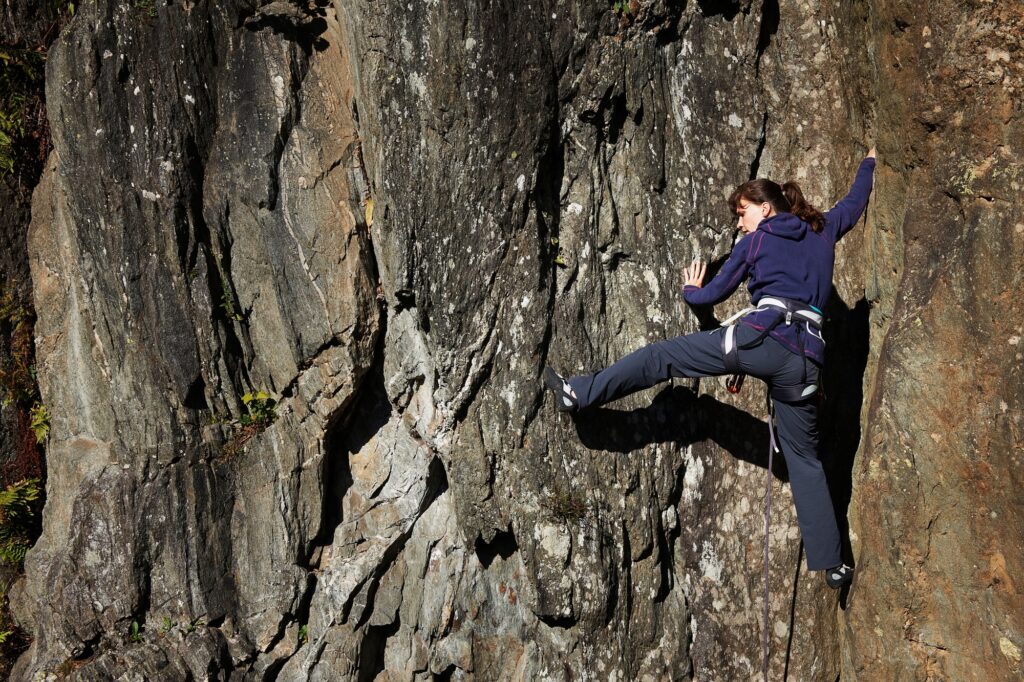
(700, 355)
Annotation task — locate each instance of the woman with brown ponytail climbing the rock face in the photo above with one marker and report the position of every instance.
(787, 255)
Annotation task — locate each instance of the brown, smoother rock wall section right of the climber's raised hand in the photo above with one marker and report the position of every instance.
(938, 516)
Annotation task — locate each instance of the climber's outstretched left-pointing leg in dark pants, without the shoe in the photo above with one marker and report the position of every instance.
(698, 355)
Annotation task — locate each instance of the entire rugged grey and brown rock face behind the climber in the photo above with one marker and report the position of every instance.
(391, 218)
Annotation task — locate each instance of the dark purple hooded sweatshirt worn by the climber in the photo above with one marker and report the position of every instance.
(784, 258)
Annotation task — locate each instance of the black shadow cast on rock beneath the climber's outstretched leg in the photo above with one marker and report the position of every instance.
(678, 416)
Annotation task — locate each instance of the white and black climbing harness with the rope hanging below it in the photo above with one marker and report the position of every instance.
(788, 312)
